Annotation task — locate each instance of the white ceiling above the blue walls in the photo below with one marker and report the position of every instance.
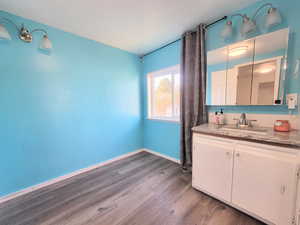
(137, 26)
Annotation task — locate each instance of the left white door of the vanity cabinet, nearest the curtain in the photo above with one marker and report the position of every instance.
(212, 167)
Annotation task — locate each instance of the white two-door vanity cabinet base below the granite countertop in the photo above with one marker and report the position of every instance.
(258, 179)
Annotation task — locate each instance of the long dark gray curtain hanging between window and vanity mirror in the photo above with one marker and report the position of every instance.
(193, 88)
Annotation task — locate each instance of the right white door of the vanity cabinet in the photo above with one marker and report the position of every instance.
(264, 183)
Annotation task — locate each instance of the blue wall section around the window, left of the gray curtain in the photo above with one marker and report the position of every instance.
(159, 136)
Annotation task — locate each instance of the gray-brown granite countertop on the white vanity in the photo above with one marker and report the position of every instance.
(285, 139)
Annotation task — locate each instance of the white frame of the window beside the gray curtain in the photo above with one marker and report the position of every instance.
(170, 70)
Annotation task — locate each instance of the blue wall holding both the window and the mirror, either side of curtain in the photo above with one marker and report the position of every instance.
(164, 137)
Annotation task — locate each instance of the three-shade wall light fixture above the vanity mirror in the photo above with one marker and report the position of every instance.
(273, 17)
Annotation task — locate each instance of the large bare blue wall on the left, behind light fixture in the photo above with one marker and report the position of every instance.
(61, 112)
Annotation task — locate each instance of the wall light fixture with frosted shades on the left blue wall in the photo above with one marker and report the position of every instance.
(24, 34)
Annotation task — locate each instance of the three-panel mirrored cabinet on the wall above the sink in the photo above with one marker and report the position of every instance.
(250, 72)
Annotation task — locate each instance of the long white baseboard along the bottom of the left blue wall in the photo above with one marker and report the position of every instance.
(55, 180)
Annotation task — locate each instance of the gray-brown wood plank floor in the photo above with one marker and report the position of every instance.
(143, 189)
